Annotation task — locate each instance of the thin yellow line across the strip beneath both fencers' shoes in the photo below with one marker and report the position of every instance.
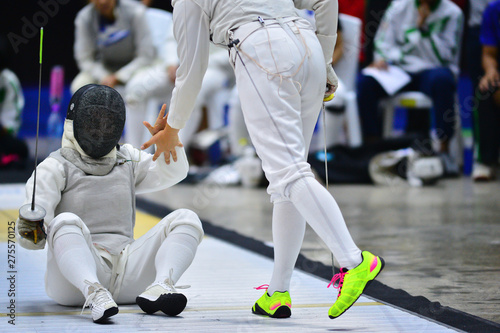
(200, 309)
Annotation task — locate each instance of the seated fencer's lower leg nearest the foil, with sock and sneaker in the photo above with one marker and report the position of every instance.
(77, 265)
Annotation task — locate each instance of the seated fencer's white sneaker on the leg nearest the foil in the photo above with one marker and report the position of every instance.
(100, 302)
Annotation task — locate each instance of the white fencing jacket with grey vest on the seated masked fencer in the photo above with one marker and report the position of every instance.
(106, 204)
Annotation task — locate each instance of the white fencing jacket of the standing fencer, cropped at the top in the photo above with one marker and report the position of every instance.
(197, 22)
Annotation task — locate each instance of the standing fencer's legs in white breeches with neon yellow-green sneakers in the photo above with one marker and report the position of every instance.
(280, 118)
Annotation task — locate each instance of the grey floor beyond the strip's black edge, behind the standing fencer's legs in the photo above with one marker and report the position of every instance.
(440, 242)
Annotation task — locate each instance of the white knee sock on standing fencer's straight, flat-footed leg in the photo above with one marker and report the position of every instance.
(288, 233)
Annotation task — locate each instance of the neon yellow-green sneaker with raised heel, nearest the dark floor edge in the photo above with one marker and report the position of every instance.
(353, 282)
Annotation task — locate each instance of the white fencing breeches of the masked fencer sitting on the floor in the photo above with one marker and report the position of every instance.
(125, 275)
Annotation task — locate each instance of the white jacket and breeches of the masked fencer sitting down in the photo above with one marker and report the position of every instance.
(102, 210)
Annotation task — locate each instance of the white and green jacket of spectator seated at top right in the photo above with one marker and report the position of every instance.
(399, 41)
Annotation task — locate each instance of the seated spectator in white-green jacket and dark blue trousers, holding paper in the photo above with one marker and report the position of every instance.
(423, 39)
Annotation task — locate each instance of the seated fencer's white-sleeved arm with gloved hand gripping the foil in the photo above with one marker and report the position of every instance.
(50, 183)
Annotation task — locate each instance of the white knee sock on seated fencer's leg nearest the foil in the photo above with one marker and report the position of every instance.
(75, 260)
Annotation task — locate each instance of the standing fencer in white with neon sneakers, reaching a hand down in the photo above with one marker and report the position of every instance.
(282, 67)
